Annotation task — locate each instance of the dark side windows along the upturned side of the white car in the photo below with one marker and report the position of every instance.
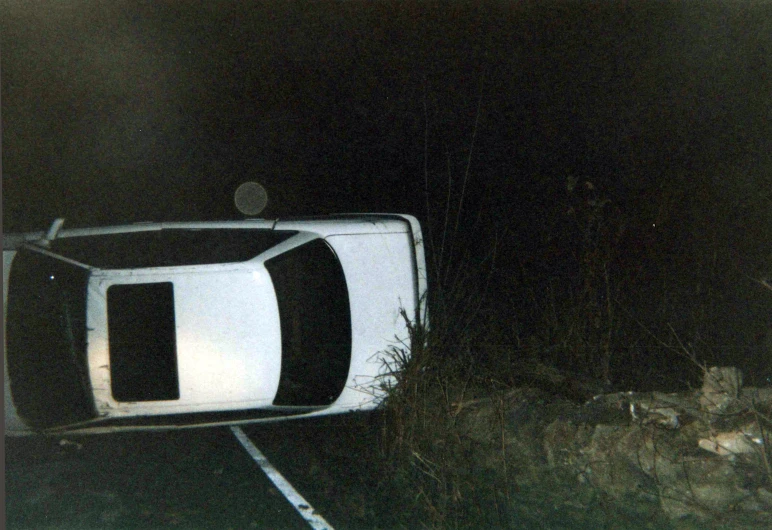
(168, 247)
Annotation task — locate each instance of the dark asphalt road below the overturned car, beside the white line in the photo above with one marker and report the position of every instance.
(198, 478)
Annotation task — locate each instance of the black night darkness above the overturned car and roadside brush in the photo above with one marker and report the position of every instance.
(118, 112)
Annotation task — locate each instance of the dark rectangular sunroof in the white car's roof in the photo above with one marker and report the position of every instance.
(143, 342)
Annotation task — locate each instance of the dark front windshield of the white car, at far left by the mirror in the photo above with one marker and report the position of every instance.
(46, 340)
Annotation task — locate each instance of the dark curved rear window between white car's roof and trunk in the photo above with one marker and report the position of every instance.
(315, 324)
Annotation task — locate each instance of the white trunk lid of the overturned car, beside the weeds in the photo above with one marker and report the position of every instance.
(381, 276)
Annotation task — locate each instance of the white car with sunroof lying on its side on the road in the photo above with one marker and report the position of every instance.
(164, 325)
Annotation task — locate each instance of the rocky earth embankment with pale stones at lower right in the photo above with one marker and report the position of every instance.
(702, 456)
